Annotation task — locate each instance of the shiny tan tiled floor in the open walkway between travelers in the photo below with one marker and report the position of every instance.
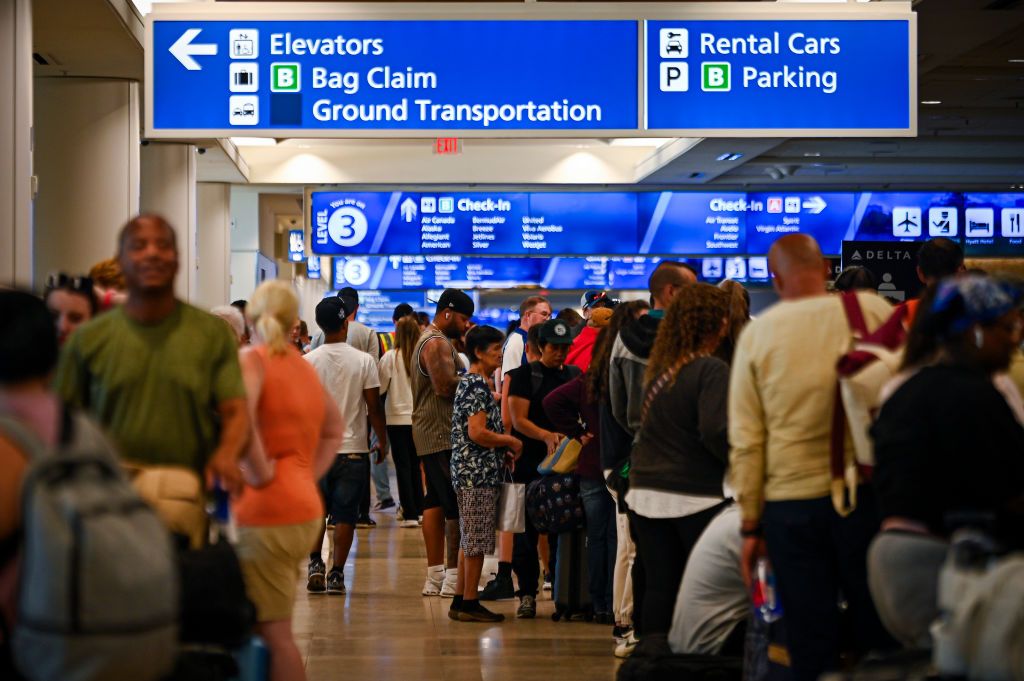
(385, 630)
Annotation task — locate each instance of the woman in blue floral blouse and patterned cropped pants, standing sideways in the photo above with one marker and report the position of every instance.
(480, 450)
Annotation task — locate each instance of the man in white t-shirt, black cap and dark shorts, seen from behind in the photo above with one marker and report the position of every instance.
(351, 376)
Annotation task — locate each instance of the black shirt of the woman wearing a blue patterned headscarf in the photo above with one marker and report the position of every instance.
(947, 442)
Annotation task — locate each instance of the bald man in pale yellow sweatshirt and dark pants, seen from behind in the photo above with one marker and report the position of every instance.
(782, 396)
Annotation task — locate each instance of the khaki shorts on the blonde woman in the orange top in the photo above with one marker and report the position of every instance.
(271, 559)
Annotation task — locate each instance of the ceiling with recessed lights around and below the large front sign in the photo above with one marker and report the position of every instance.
(970, 61)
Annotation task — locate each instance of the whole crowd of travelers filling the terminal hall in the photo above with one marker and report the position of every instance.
(727, 508)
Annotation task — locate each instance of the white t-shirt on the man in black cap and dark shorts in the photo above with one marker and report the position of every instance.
(346, 373)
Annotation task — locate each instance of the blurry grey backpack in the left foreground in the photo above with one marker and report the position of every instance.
(98, 599)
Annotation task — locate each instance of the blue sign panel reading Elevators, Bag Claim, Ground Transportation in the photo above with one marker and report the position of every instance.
(397, 75)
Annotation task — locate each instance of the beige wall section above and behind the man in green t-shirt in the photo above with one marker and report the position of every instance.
(88, 159)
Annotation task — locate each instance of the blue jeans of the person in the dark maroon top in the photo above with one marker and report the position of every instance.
(600, 508)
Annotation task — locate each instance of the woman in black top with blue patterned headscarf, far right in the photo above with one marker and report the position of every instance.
(947, 443)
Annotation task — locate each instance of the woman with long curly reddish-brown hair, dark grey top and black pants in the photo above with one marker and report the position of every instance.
(681, 453)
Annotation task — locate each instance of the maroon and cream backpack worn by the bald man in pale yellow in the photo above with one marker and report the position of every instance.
(873, 361)
